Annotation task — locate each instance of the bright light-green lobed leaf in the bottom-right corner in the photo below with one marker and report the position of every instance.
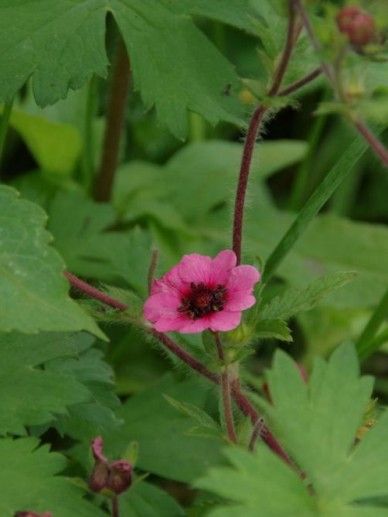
(317, 424)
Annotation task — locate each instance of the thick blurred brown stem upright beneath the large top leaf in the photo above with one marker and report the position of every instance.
(114, 124)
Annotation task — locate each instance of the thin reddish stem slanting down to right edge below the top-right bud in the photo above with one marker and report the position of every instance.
(331, 73)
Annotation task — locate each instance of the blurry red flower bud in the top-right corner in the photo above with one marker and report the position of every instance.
(358, 25)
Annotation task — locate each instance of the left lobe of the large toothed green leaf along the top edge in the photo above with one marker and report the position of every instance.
(61, 44)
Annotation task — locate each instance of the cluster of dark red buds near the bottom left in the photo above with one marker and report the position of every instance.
(115, 476)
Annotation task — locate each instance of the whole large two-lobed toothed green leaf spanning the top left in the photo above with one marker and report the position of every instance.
(61, 45)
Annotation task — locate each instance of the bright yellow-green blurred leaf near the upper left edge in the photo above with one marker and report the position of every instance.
(55, 146)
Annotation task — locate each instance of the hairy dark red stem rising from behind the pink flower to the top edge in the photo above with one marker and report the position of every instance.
(253, 131)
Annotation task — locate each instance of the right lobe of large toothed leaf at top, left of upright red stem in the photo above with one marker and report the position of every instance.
(168, 52)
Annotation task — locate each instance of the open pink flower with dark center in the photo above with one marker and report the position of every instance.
(201, 293)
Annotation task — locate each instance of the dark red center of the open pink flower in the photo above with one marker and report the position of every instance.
(203, 300)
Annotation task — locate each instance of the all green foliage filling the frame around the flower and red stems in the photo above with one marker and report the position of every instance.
(71, 370)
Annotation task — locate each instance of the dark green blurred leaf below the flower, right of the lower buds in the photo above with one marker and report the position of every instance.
(148, 413)
